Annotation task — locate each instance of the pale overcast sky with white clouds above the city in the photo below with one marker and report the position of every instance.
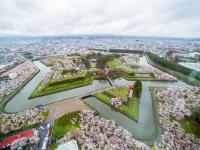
(169, 18)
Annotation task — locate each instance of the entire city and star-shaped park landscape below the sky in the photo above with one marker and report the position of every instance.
(99, 92)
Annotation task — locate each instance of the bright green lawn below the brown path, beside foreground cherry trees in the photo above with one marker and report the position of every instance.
(64, 125)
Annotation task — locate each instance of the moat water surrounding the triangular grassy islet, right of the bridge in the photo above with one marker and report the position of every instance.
(145, 128)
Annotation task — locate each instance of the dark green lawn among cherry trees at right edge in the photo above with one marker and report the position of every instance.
(191, 126)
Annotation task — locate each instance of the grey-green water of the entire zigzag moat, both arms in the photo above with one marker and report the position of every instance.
(145, 128)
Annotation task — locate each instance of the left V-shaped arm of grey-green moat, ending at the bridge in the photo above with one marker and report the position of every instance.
(21, 100)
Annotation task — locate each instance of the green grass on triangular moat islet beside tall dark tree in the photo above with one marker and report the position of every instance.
(130, 109)
